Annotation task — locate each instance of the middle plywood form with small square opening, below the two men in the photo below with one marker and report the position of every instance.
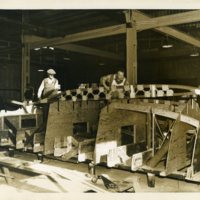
(75, 121)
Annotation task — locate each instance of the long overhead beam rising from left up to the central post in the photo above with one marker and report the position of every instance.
(86, 35)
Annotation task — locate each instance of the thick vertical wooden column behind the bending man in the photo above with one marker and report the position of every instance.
(131, 47)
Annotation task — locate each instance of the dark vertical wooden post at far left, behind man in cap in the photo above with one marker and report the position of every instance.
(25, 72)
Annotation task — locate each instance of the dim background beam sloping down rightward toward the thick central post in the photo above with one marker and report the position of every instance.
(90, 51)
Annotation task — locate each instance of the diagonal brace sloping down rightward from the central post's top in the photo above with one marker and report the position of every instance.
(170, 31)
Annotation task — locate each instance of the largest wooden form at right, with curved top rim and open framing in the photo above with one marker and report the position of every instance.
(172, 148)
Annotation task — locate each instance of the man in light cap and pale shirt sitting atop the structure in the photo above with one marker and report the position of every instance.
(49, 86)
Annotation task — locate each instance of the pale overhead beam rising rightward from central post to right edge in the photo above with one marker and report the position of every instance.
(168, 20)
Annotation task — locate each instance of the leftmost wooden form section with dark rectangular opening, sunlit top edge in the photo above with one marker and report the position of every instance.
(18, 128)
